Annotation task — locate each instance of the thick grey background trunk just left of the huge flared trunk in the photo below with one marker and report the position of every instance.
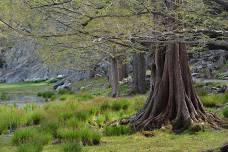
(139, 73)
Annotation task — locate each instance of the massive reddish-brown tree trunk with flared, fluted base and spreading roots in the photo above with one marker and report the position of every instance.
(174, 100)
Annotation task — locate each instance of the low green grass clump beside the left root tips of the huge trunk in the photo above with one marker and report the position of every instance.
(117, 130)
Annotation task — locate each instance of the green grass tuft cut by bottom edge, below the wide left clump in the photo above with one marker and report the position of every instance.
(30, 147)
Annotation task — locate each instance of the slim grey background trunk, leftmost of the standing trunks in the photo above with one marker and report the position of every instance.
(114, 77)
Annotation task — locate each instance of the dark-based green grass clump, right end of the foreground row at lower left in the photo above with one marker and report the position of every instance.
(89, 137)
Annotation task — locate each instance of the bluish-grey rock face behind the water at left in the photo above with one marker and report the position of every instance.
(22, 63)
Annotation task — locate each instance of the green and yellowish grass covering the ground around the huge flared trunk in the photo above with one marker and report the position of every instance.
(79, 122)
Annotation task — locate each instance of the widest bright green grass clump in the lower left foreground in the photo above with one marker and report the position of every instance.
(30, 135)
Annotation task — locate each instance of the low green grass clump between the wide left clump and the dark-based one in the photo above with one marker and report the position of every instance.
(68, 135)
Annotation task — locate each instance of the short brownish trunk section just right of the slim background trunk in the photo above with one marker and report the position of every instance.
(122, 69)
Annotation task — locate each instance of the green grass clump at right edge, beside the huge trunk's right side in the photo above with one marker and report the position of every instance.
(213, 100)
